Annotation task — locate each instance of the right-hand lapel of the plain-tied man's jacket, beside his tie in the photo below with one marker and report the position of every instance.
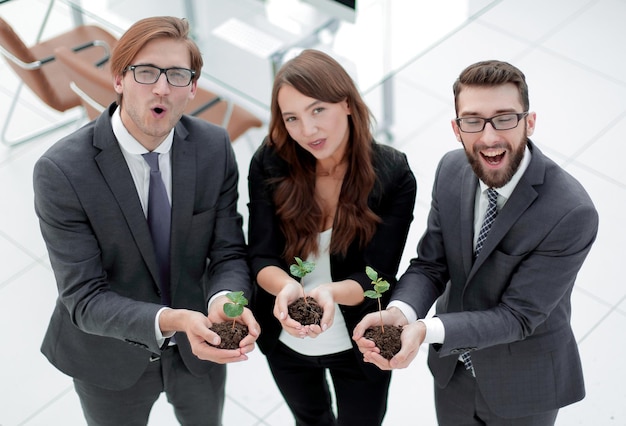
(183, 192)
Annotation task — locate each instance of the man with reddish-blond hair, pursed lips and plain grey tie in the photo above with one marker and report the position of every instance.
(139, 213)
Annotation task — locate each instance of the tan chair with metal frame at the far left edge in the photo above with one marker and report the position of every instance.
(38, 69)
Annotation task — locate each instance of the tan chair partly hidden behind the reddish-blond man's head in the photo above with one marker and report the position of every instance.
(95, 88)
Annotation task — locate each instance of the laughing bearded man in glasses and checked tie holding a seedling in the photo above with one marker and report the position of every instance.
(506, 236)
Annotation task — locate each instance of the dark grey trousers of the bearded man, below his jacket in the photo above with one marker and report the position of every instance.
(461, 404)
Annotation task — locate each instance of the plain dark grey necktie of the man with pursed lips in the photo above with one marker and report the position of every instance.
(159, 220)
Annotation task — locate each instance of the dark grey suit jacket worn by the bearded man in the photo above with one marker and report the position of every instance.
(511, 307)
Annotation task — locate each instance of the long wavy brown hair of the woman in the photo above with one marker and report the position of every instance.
(318, 76)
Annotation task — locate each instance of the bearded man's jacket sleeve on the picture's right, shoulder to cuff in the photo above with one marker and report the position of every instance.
(536, 301)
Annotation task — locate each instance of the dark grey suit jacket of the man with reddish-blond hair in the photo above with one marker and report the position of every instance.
(102, 329)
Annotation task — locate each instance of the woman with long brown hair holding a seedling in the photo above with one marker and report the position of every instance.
(323, 190)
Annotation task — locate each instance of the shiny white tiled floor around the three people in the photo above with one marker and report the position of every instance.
(572, 52)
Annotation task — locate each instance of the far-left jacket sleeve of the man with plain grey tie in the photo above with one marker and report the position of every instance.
(76, 260)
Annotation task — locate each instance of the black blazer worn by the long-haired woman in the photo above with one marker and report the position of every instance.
(392, 199)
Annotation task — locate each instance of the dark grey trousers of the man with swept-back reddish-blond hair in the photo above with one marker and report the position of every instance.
(196, 400)
